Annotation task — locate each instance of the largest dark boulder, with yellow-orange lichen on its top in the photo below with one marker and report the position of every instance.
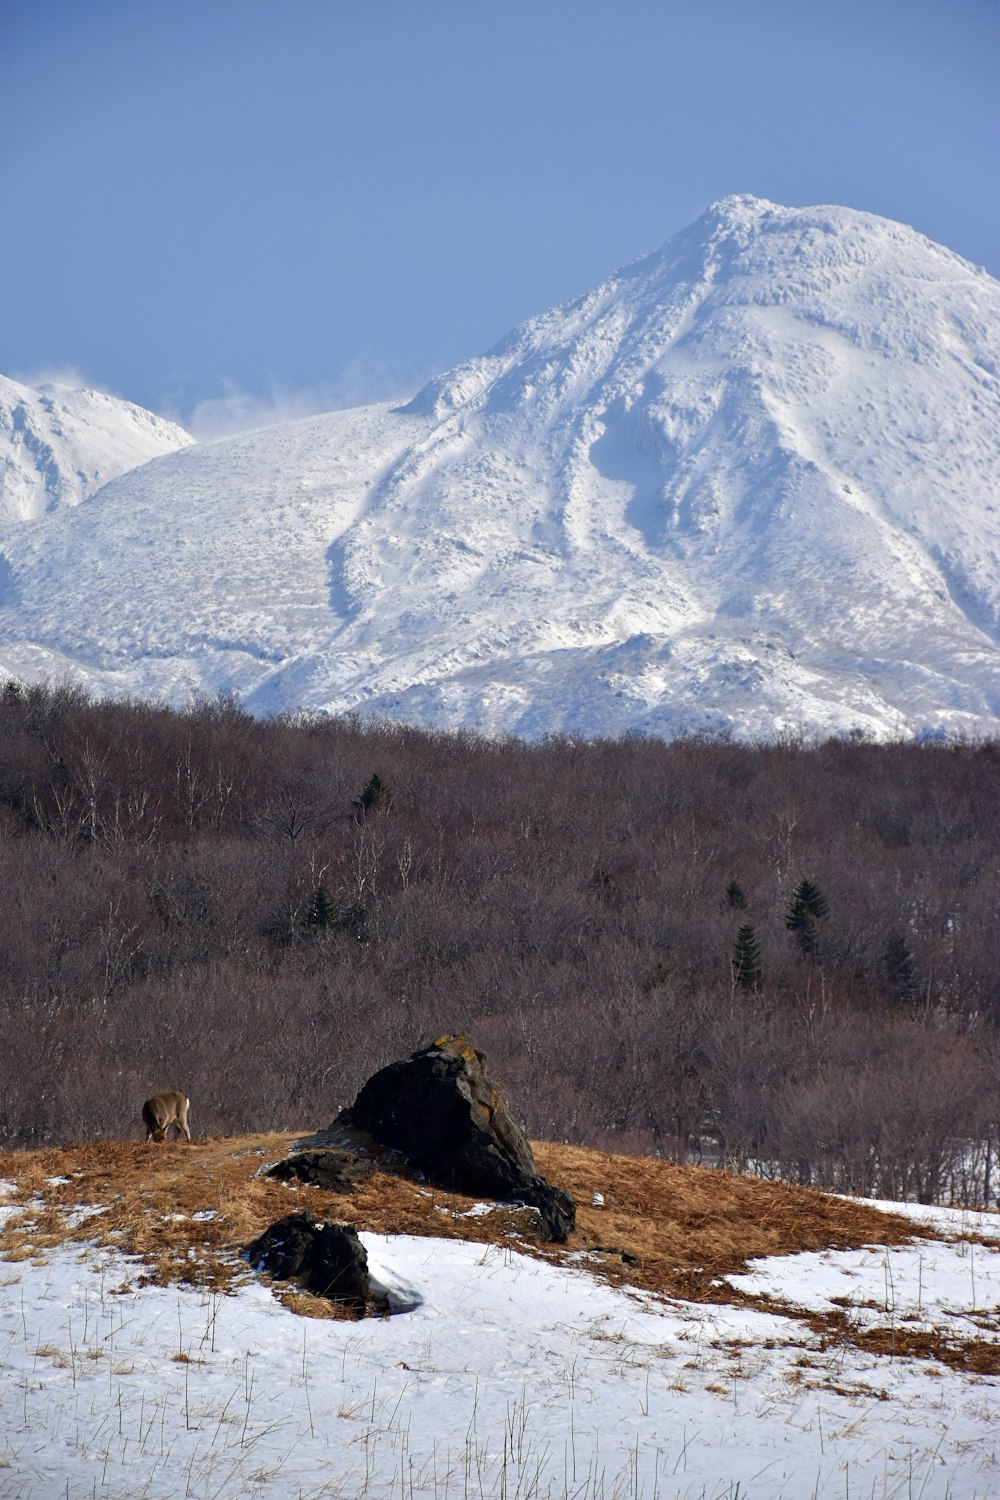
(449, 1120)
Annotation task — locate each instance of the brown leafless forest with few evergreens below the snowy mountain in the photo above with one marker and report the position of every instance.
(783, 958)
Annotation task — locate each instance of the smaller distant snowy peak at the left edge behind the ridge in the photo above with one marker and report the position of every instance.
(59, 445)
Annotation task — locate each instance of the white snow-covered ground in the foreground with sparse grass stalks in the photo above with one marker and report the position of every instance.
(510, 1378)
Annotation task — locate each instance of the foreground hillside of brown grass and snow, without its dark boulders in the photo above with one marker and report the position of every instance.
(756, 1340)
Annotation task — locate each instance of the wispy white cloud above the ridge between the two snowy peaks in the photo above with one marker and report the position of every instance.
(236, 410)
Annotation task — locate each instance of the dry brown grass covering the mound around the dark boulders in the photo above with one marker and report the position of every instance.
(683, 1229)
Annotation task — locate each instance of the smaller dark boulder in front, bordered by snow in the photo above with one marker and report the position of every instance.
(325, 1259)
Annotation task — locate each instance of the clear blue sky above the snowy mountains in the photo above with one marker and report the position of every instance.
(238, 209)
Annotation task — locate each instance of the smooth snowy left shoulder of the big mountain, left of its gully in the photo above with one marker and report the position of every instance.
(205, 571)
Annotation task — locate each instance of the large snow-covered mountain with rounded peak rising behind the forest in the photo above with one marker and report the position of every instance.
(749, 482)
